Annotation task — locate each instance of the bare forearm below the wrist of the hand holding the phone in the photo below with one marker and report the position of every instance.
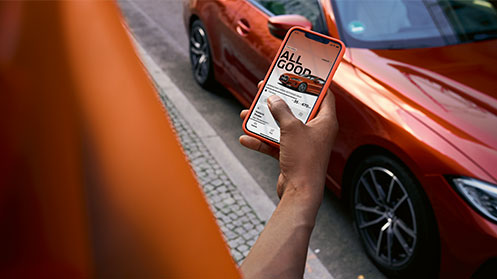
(281, 249)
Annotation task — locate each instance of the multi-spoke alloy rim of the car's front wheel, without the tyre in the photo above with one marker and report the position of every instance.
(385, 216)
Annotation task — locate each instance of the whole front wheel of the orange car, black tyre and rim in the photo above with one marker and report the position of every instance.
(394, 219)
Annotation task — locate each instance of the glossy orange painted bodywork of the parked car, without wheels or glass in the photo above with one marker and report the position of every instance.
(435, 109)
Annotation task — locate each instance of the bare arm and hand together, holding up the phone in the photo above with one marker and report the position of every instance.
(281, 250)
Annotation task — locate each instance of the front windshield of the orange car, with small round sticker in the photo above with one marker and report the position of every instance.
(398, 24)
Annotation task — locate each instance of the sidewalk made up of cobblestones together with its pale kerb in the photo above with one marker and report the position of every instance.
(239, 204)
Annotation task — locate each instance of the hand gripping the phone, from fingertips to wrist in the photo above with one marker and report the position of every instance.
(304, 148)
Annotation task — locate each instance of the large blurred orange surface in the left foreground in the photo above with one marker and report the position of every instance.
(92, 178)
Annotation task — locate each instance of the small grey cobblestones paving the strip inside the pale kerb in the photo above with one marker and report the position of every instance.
(237, 220)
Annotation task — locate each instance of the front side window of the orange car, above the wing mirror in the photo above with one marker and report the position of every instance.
(310, 9)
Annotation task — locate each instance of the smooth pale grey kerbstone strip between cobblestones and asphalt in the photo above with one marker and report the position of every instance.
(252, 192)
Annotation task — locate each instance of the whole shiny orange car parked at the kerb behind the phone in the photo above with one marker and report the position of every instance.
(417, 105)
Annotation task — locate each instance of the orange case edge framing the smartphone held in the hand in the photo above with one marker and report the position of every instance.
(321, 96)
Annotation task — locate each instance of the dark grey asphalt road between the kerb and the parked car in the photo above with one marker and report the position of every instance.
(158, 25)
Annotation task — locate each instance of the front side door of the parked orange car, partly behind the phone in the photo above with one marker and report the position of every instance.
(254, 44)
